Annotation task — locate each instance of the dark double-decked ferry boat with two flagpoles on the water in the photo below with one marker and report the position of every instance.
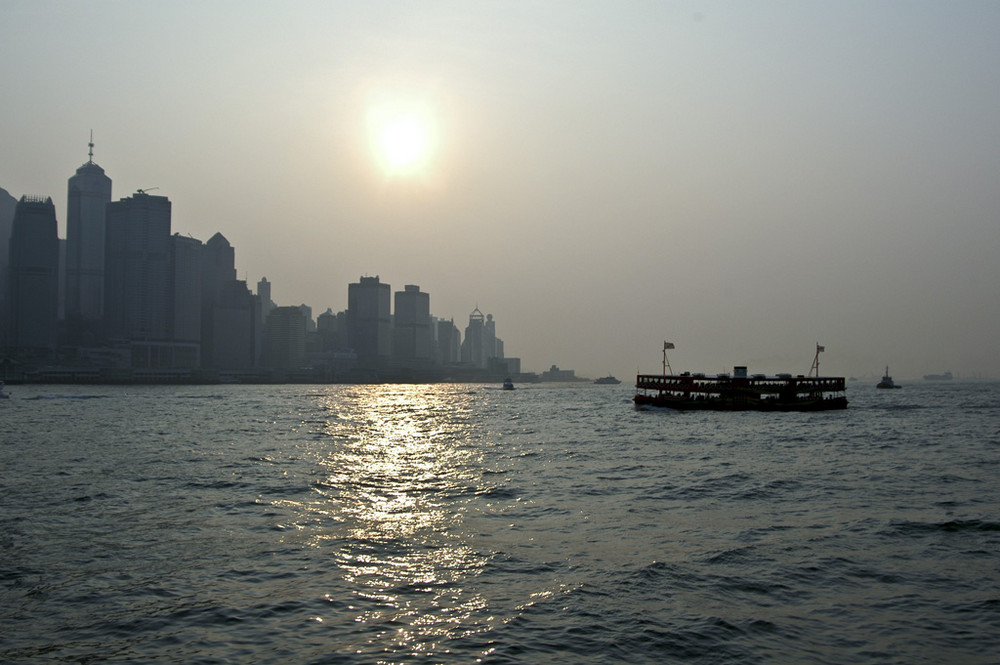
(740, 392)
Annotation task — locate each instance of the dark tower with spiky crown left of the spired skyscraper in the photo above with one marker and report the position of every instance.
(33, 284)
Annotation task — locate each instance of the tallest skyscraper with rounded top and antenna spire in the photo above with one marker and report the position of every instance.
(87, 200)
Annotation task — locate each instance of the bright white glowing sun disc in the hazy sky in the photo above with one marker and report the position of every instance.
(402, 137)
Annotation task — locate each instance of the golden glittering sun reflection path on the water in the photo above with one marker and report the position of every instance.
(401, 469)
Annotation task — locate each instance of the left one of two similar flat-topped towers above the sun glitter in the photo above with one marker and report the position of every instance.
(368, 322)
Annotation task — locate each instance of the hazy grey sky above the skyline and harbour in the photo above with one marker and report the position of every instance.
(744, 179)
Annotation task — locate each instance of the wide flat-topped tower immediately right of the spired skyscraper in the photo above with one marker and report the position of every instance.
(137, 276)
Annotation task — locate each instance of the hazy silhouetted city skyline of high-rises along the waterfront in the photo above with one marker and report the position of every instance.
(169, 303)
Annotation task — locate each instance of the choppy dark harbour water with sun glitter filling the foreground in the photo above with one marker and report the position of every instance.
(457, 524)
